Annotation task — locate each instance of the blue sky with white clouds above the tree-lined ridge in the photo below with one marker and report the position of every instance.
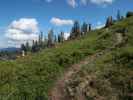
(22, 20)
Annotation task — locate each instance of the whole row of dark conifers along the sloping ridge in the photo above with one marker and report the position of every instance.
(77, 31)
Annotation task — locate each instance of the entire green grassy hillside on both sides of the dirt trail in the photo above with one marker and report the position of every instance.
(31, 77)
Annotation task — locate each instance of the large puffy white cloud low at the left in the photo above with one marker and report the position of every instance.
(22, 30)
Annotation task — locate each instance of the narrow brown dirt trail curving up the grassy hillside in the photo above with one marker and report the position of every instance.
(58, 91)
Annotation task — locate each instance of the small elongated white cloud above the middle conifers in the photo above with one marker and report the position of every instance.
(61, 22)
